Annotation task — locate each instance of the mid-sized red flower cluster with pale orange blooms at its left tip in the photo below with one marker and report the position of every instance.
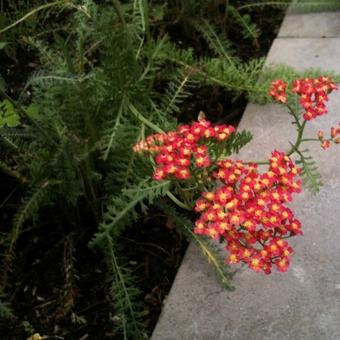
(178, 151)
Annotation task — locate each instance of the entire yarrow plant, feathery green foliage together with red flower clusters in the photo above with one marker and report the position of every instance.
(100, 84)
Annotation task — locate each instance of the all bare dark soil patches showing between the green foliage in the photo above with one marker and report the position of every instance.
(57, 289)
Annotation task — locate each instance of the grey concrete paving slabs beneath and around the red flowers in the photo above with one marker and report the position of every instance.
(303, 303)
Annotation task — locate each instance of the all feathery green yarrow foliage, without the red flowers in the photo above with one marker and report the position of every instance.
(108, 79)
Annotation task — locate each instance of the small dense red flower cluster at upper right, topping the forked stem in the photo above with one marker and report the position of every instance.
(313, 94)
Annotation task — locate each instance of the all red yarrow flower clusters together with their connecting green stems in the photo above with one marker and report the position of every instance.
(236, 202)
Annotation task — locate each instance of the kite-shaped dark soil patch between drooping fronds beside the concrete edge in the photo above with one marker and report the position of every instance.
(156, 251)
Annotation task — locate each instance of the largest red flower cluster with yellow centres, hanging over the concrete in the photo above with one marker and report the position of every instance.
(248, 211)
